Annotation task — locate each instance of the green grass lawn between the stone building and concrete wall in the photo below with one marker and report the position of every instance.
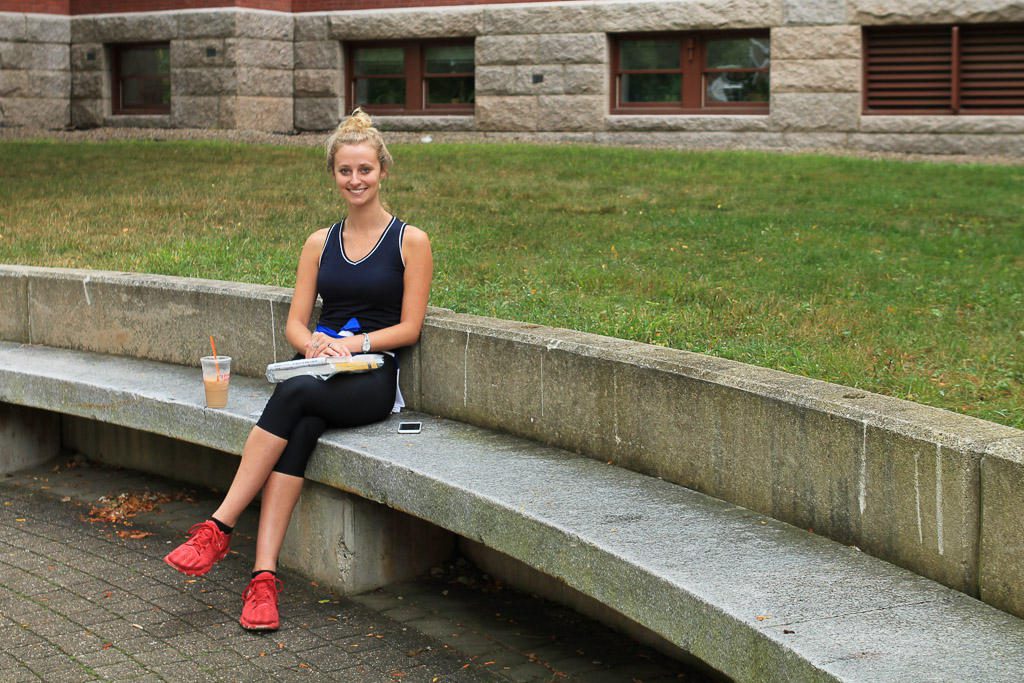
(905, 279)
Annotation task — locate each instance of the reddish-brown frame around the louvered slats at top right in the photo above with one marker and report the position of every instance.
(957, 79)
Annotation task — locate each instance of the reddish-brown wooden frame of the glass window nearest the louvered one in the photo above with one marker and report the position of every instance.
(693, 71)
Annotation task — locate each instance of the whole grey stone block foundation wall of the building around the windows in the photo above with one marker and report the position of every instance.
(542, 71)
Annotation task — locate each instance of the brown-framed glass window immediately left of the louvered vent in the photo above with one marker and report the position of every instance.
(726, 73)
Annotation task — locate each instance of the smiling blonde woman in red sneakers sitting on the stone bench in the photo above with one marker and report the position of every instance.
(373, 273)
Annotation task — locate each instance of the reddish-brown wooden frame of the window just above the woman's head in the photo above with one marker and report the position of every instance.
(415, 75)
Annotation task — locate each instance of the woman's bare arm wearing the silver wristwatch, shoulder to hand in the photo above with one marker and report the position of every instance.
(419, 274)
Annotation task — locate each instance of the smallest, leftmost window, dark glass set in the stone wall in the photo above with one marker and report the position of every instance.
(142, 79)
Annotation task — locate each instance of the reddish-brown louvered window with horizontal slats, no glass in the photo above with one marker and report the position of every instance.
(977, 69)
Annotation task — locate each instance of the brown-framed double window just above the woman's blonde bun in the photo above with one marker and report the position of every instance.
(412, 78)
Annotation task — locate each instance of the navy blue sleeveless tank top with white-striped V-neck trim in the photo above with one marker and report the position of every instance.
(369, 290)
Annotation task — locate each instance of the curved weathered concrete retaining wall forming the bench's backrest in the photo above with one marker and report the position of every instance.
(925, 489)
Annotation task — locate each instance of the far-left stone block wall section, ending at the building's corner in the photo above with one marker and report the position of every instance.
(35, 70)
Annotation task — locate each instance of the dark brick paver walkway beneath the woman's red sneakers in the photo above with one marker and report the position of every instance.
(82, 602)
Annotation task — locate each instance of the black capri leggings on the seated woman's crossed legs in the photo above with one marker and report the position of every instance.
(303, 408)
